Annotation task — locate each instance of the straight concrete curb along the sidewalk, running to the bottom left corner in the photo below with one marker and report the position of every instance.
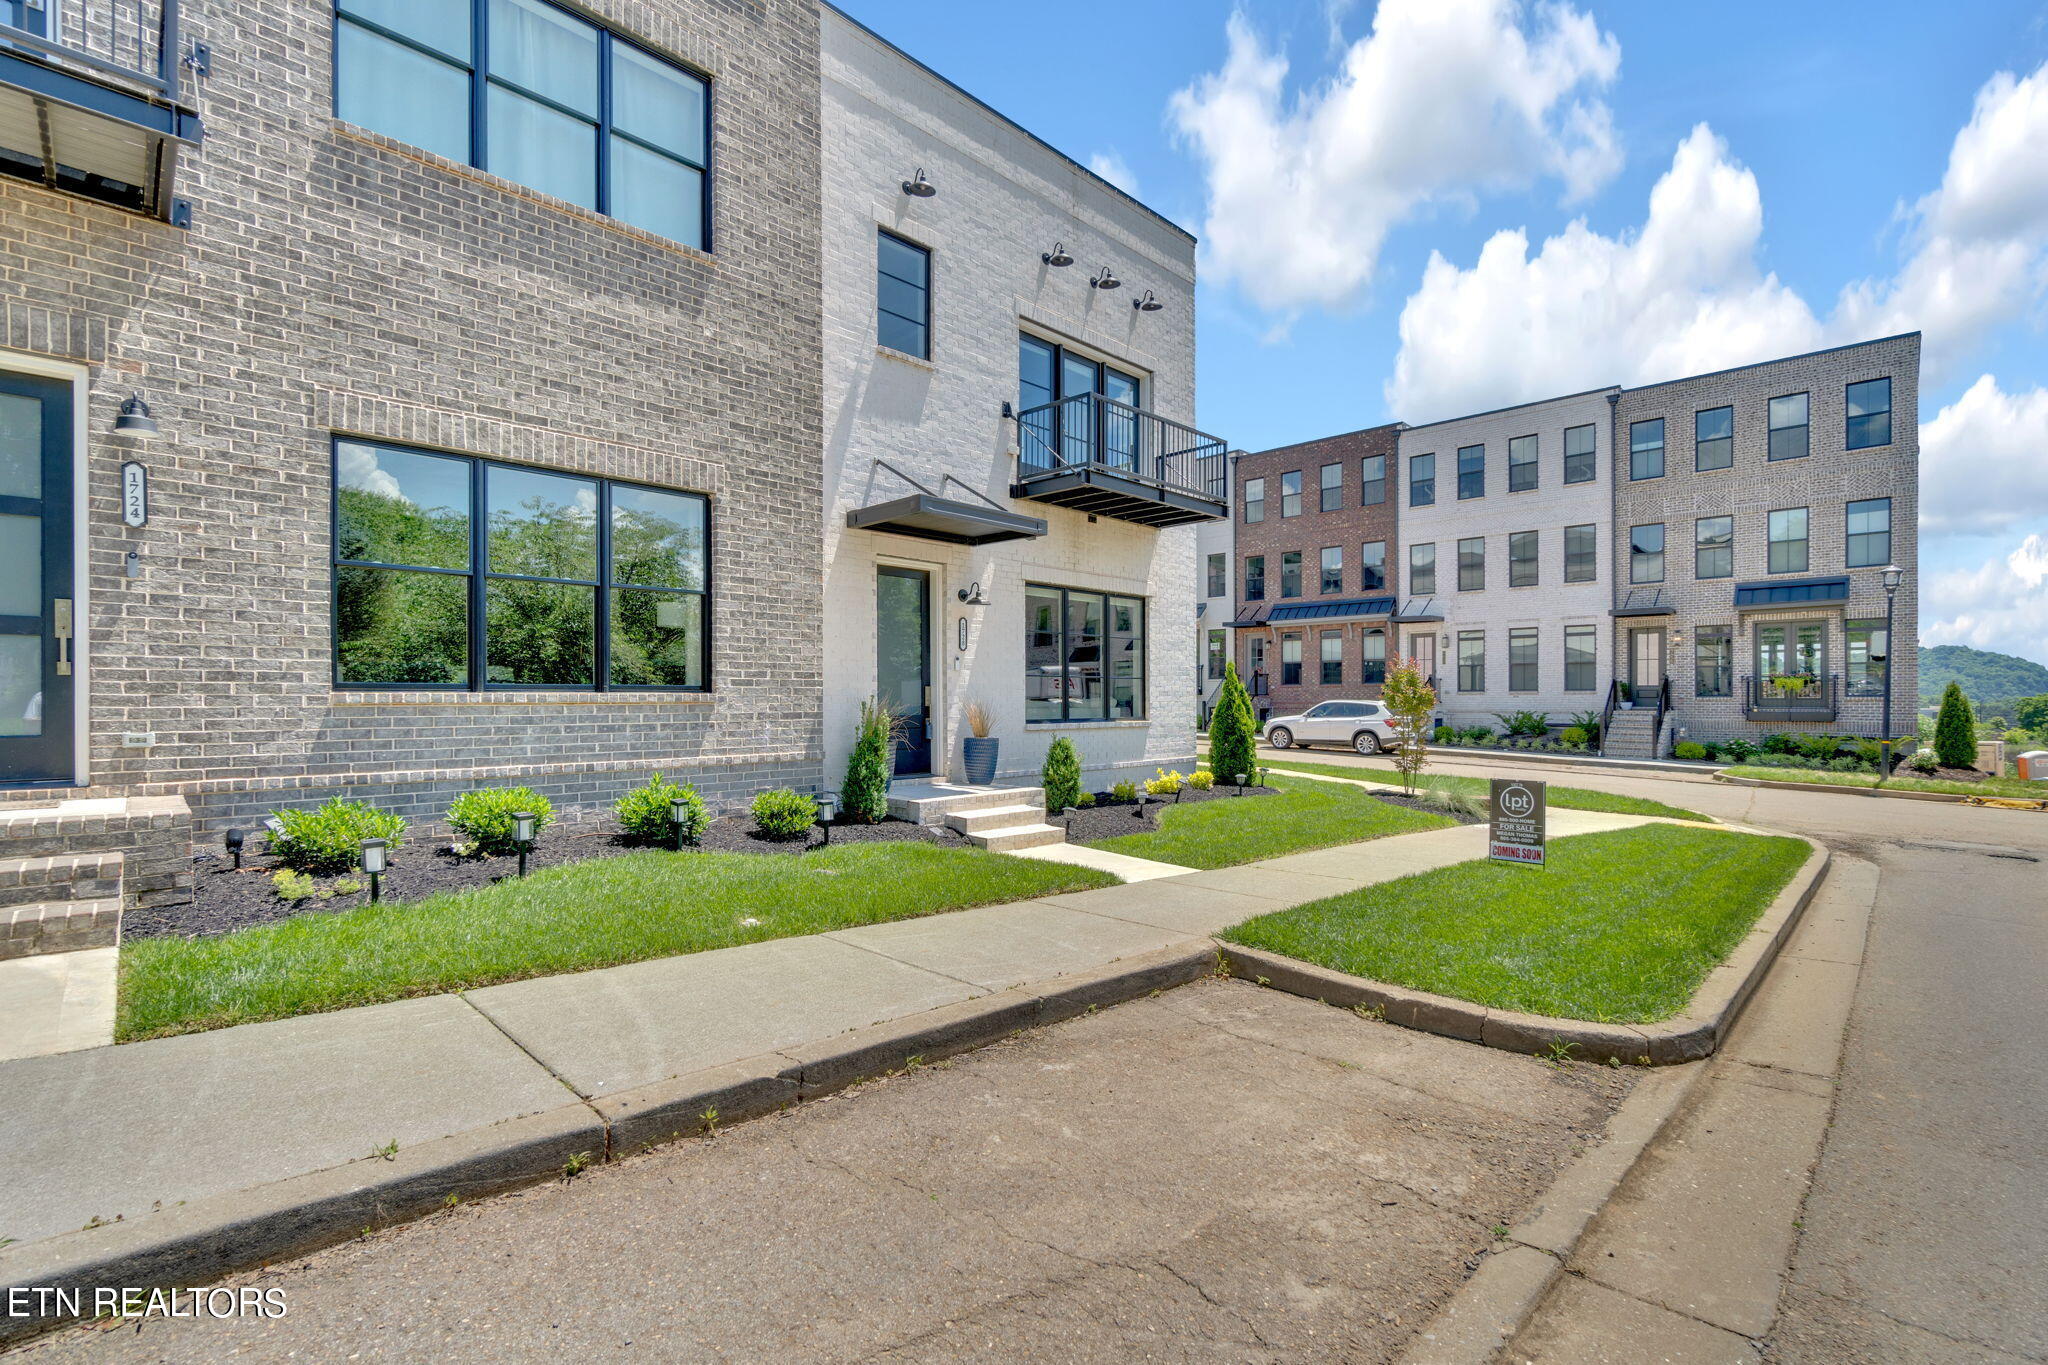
(206, 1239)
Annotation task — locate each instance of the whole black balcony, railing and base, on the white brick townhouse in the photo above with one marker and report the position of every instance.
(1097, 455)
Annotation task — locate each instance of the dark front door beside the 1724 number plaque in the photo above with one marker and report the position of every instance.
(36, 580)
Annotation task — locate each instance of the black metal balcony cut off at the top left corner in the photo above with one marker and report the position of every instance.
(93, 99)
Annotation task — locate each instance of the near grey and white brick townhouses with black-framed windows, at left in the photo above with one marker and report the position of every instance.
(413, 398)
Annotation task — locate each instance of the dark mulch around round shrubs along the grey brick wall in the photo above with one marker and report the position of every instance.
(226, 899)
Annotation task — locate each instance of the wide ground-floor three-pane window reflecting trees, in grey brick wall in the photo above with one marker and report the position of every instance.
(464, 574)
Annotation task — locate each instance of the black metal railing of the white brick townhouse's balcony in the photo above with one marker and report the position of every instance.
(1093, 431)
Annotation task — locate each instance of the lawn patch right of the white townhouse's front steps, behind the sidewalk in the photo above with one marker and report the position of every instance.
(1306, 816)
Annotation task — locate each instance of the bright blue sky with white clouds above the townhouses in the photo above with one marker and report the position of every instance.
(1805, 150)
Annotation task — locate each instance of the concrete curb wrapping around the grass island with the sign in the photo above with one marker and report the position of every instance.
(1687, 1039)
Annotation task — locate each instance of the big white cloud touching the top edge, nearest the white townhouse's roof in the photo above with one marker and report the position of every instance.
(1439, 103)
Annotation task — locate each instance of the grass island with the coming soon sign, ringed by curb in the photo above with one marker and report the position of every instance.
(1621, 928)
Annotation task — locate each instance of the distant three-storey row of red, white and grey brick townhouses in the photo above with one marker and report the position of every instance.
(1713, 549)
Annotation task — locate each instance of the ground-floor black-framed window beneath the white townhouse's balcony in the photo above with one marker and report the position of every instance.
(1084, 656)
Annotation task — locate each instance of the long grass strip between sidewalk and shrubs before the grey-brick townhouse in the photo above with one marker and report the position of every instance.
(562, 920)
